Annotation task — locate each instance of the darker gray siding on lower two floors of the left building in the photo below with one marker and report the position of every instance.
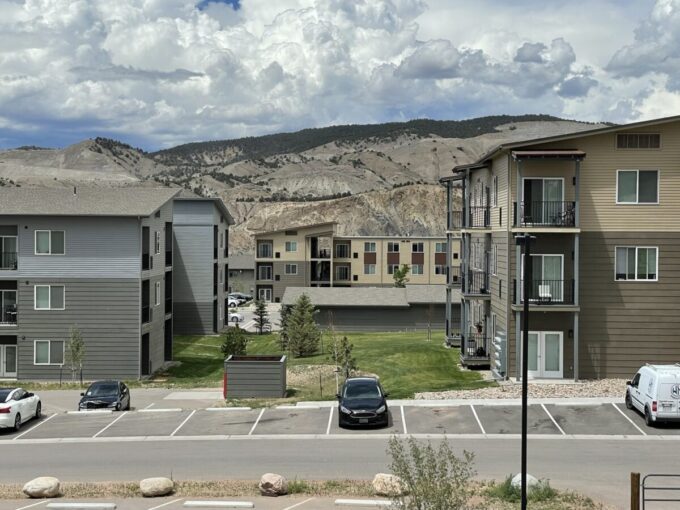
(105, 310)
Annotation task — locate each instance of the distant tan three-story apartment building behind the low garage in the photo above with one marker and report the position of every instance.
(315, 256)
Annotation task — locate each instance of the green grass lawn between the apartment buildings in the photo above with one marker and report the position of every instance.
(405, 362)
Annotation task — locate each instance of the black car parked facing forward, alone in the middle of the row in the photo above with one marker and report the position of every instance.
(361, 401)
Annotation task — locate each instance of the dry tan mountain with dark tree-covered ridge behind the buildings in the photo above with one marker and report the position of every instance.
(372, 179)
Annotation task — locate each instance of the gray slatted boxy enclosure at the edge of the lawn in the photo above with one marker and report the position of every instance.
(254, 376)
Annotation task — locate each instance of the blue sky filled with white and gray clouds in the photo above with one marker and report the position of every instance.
(158, 73)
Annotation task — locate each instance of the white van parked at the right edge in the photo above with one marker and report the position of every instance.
(655, 392)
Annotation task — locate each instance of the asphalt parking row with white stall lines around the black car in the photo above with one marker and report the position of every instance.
(488, 420)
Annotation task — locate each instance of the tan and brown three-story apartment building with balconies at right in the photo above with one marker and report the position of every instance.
(604, 208)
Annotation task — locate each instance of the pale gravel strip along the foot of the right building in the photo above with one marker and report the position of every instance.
(509, 389)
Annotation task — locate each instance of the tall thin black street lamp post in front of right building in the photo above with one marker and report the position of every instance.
(525, 240)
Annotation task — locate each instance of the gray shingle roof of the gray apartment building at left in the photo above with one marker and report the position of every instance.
(84, 201)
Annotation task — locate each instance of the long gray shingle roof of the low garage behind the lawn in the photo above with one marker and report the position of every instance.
(375, 297)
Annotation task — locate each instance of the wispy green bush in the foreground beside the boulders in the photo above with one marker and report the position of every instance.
(435, 478)
